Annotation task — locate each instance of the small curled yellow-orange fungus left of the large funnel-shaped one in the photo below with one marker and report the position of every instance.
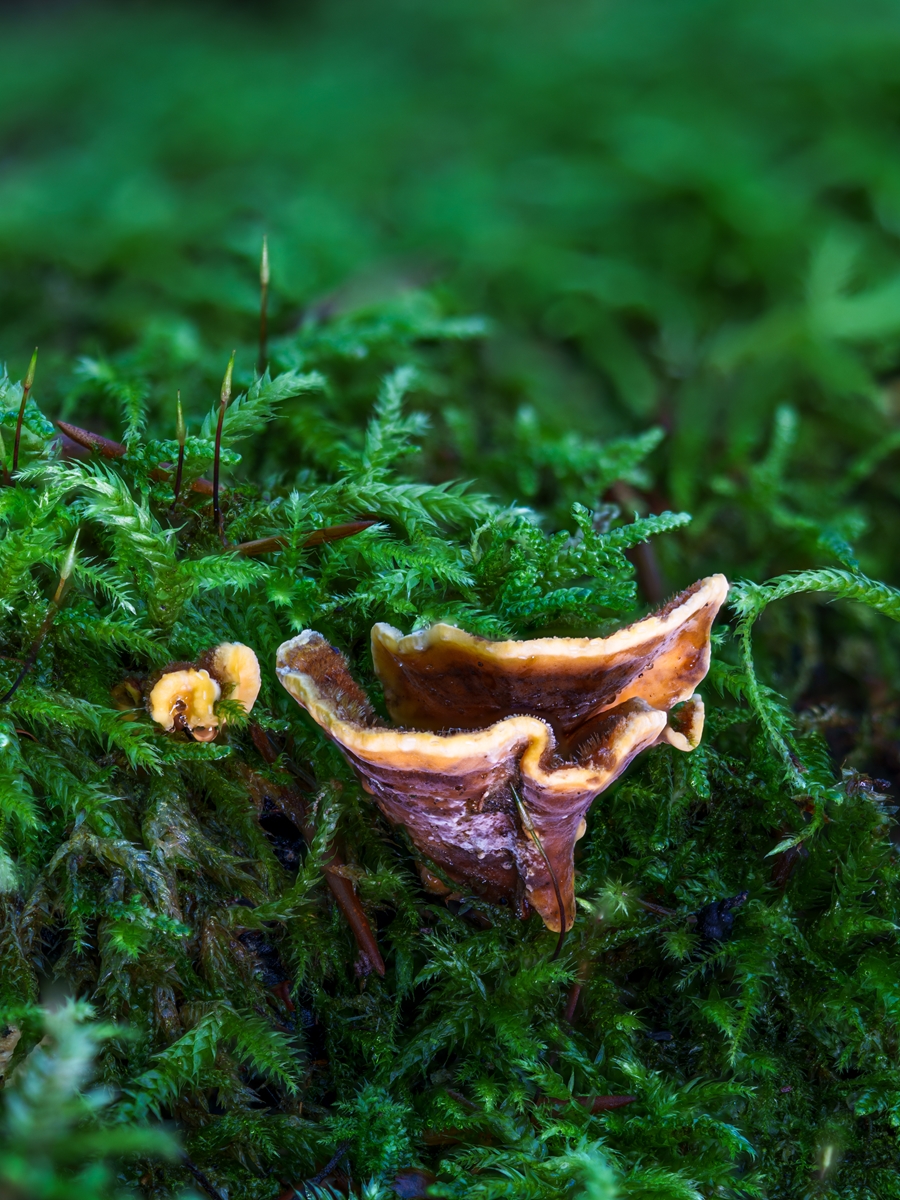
(184, 697)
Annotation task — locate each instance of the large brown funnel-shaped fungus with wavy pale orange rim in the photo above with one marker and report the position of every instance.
(505, 746)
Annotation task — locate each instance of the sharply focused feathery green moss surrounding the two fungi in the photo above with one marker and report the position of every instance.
(127, 850)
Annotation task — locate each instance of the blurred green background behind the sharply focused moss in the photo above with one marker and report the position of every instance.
(677, 214)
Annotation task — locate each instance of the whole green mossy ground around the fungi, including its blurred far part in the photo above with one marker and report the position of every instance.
(675, 229)
